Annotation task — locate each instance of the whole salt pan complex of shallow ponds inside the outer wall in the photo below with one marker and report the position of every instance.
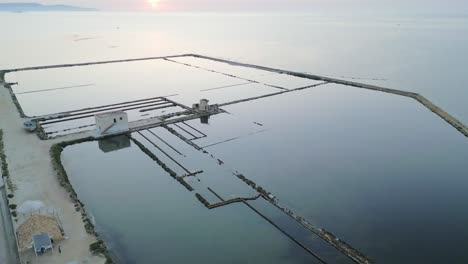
(312, 171)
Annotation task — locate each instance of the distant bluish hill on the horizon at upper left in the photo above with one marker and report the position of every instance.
(27, 7)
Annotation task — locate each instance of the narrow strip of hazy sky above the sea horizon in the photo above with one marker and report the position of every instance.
(423, 6)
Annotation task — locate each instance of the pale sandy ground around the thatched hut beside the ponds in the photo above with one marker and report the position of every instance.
(34, 178)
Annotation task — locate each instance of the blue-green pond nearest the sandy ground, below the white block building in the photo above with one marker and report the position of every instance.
(160, 221)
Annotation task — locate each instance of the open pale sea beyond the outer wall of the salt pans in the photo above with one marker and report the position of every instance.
(416, 53)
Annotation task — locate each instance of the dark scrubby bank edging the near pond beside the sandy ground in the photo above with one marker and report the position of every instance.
(55, 151)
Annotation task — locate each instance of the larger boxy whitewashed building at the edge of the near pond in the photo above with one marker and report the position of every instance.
(111, 122)
